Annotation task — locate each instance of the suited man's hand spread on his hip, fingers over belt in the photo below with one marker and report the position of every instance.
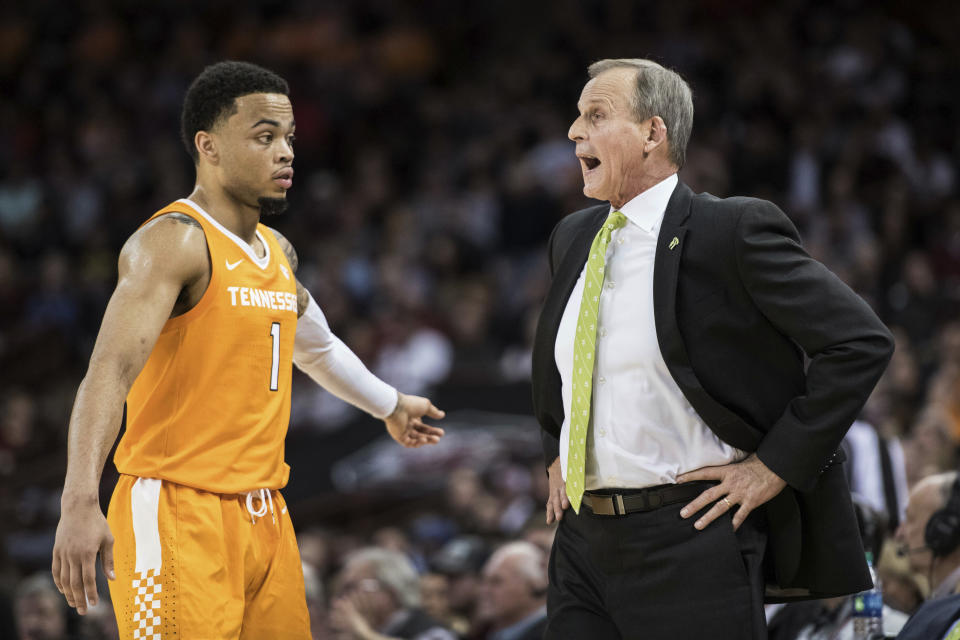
(745, 485)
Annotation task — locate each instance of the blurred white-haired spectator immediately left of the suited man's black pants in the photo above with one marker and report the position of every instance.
(513, 593)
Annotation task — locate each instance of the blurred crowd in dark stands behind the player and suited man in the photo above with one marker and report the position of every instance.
(432, 163)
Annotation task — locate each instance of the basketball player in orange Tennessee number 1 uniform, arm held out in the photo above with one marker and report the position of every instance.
(198, 338)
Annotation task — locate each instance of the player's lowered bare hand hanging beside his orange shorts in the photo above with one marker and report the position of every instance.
(81, 534)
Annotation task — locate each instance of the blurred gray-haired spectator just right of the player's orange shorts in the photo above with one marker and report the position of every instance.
(378, 597)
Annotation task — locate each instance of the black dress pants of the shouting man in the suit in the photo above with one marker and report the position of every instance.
(652, 576)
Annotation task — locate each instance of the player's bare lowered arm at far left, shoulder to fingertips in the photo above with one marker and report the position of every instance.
(163, 270)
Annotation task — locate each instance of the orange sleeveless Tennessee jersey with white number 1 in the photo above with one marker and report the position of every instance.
(211, 406)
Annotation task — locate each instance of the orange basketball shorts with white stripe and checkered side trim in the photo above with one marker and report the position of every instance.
(193, 565)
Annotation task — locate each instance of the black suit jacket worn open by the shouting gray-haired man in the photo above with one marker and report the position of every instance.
(738, 305)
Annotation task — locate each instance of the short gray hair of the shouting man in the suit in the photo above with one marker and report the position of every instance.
(659, 92)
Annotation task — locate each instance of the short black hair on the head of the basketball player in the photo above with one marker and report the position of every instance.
(212, 96)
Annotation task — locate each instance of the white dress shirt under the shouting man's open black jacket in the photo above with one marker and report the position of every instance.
(643, 431)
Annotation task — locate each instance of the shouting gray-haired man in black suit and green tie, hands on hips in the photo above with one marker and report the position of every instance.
(694, 372)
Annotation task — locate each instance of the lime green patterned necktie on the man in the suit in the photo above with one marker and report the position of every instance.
(584, 347)
